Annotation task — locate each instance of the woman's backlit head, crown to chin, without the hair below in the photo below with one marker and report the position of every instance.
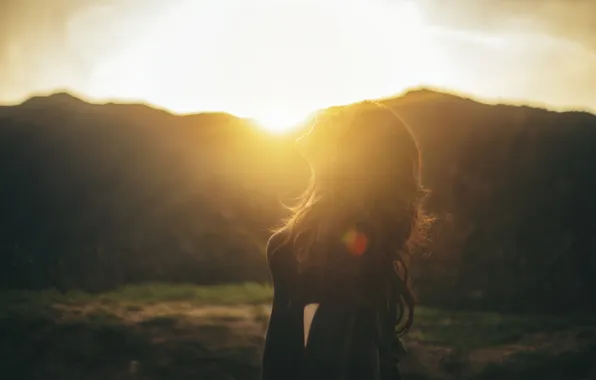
(366, 136)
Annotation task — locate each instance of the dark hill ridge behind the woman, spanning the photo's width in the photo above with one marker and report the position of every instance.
(95, 196)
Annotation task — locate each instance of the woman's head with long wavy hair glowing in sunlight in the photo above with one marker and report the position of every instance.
(365, 170)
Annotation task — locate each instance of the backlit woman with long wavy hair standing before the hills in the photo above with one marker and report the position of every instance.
(344, 250)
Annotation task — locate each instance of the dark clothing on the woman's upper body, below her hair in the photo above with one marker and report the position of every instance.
(344, 337)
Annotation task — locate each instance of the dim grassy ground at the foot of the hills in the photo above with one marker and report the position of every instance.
(186, 332)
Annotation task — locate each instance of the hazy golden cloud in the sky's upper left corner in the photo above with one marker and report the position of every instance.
(36, 40)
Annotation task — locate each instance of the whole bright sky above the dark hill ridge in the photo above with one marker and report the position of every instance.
(278, 60)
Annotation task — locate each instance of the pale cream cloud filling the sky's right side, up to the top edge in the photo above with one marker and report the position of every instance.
(543, 51)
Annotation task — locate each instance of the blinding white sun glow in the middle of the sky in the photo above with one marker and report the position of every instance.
(258, 60)
